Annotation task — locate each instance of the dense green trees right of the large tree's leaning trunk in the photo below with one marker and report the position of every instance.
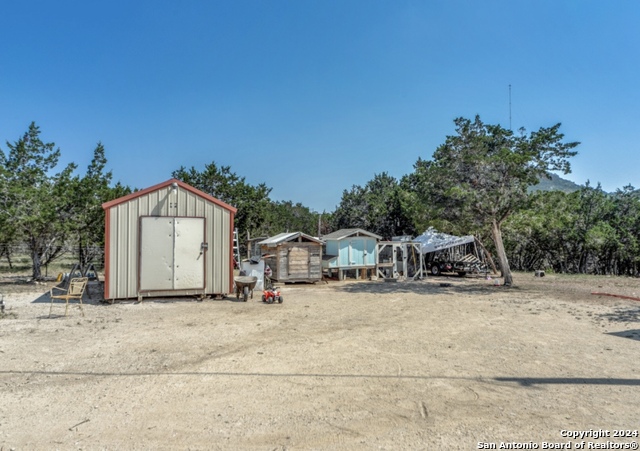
(585, 231)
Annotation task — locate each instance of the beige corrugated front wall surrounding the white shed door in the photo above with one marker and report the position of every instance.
(123, 230)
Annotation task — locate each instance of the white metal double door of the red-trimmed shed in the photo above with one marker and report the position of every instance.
(171, 253)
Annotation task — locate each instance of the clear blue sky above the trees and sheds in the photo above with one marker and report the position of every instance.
(312, 97)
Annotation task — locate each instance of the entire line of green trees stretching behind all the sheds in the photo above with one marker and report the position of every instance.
(477, 182)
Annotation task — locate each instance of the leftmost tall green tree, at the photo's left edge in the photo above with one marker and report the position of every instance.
(34, 201)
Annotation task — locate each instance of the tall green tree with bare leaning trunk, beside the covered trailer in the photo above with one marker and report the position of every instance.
(480, 175)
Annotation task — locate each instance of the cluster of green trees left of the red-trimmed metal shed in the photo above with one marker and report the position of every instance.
(46, 208)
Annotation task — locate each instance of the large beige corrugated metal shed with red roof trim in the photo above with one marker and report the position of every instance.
(168, 240)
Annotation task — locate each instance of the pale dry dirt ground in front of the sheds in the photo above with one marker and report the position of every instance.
(352, 365)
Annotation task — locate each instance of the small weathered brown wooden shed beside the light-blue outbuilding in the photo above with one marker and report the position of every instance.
(293, 257)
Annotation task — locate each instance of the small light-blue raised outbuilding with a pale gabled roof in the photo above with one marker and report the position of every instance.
(351, 250)
